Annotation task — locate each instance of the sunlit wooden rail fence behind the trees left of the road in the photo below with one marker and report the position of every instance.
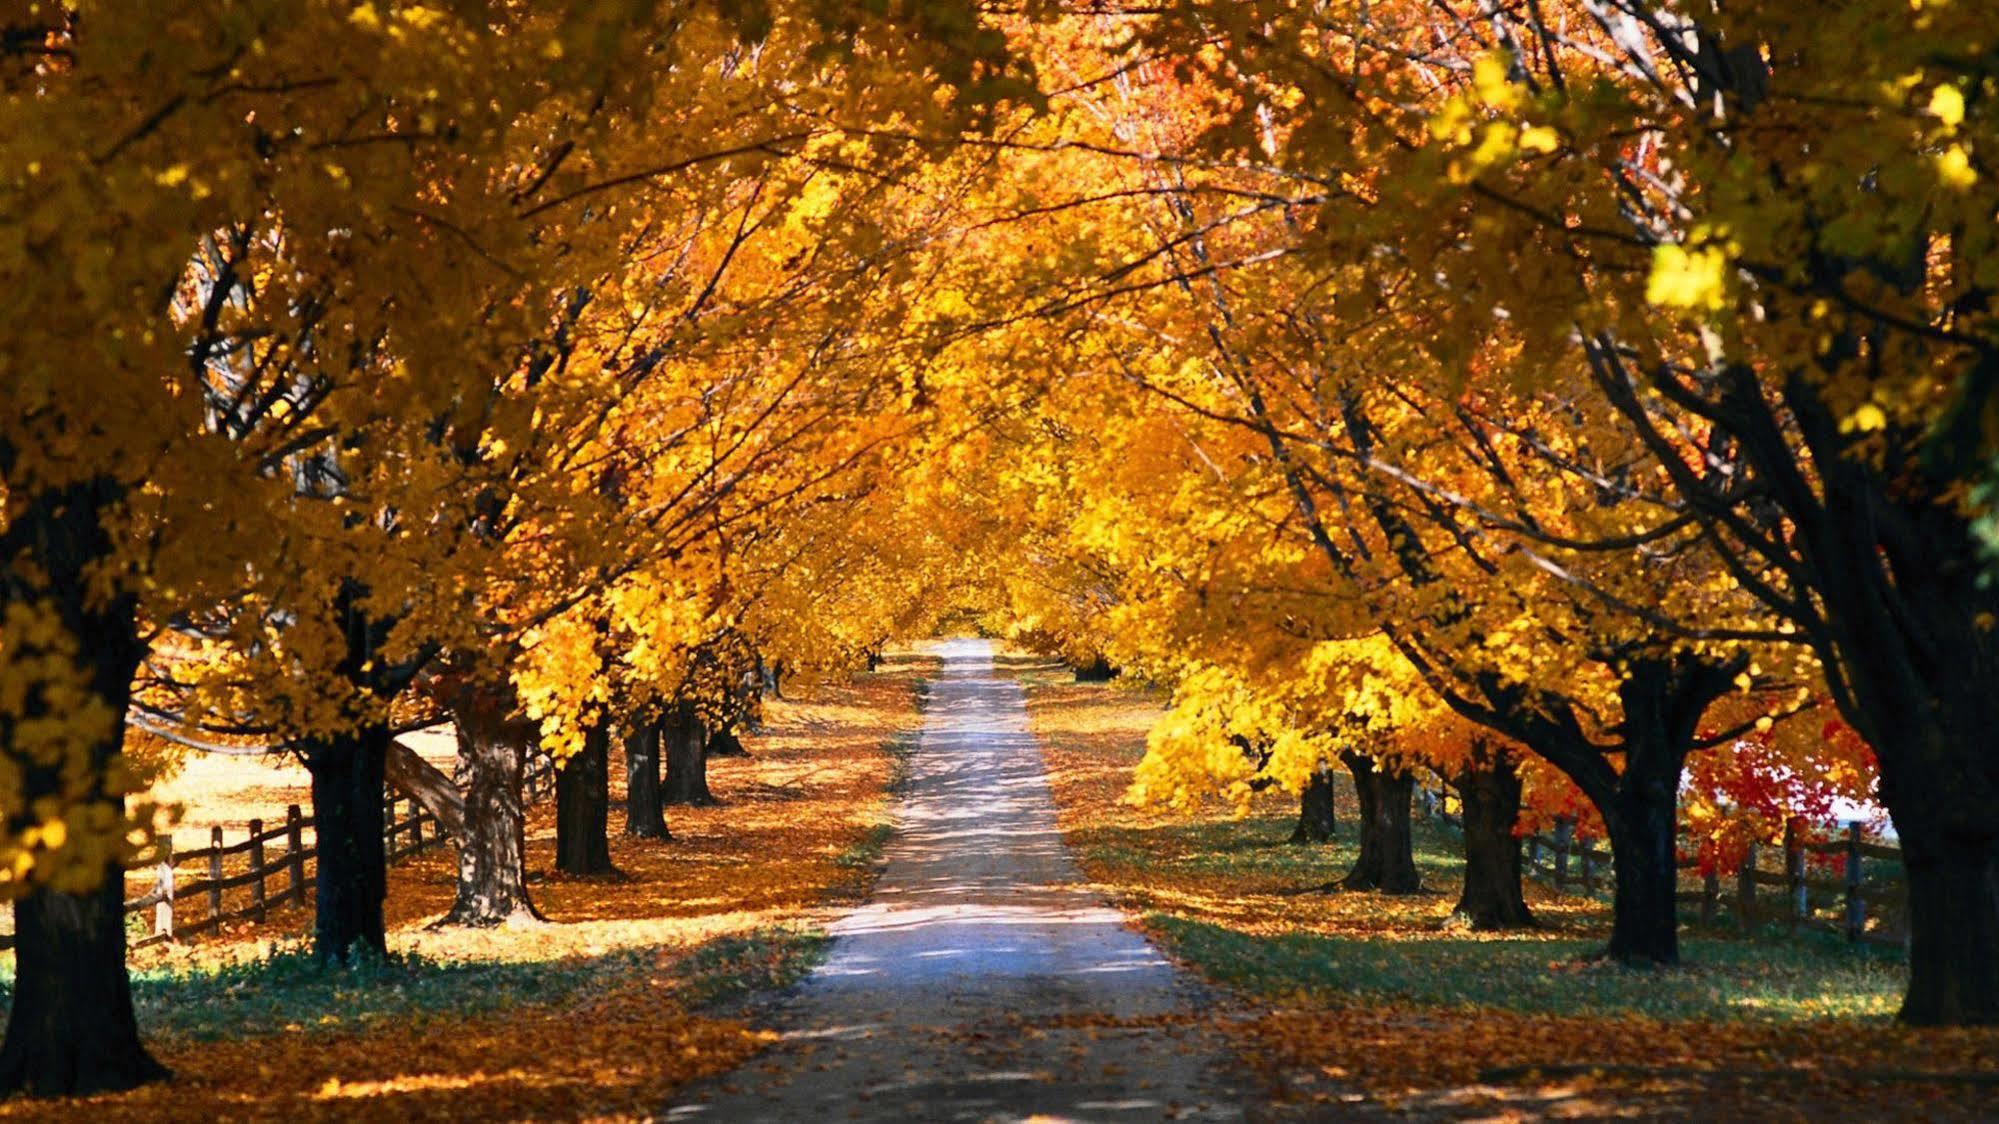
(273, 865)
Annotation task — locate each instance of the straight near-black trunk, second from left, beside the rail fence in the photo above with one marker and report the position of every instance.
(351, 875)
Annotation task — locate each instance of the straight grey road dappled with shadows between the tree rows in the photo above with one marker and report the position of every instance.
(983, 981)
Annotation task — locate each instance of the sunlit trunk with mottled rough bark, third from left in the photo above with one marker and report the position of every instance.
(493, 849)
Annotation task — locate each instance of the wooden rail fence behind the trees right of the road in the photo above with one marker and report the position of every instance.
(1868, 903)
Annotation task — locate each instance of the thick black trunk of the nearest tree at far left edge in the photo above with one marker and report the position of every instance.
(71, 1025)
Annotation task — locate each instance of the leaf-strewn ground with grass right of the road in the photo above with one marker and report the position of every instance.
(1364, 997)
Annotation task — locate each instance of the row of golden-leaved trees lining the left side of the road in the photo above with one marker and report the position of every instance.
(371, 365)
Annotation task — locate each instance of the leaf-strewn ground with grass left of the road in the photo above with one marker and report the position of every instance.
(633, 989)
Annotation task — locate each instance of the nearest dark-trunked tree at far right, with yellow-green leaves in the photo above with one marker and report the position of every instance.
(1794, 329)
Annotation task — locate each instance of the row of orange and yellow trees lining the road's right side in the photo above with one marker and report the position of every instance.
(1598, 387)
